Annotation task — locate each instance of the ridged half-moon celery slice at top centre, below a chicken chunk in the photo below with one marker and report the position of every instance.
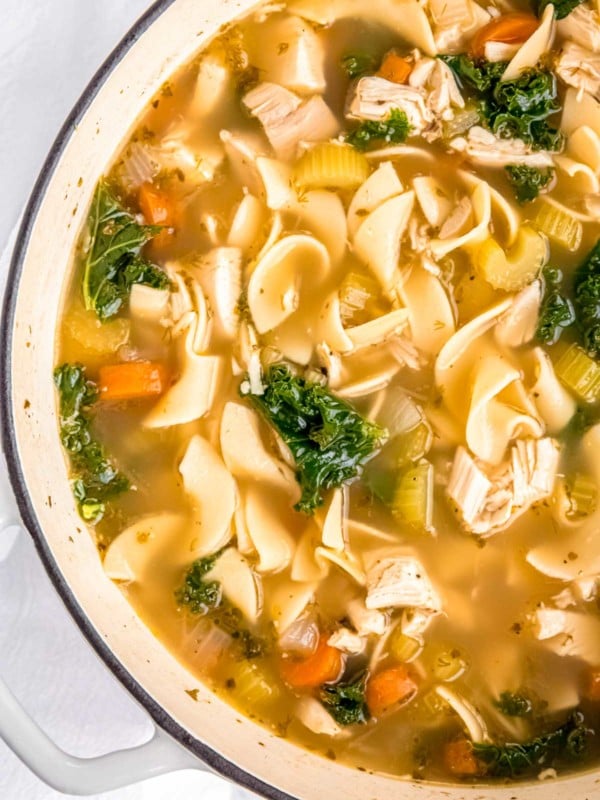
(331, 166)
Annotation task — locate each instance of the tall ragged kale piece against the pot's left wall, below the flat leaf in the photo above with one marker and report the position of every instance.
(96, 479)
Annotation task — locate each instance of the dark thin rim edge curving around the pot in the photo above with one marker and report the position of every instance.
(8, 440)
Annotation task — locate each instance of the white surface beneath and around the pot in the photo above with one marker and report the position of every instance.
(49, 49)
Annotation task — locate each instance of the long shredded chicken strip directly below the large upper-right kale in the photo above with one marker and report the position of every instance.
(482, 147)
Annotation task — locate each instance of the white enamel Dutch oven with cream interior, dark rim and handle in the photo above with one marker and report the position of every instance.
(201, 734)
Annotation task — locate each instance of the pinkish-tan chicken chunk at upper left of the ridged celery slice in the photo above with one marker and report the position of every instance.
(287, 120)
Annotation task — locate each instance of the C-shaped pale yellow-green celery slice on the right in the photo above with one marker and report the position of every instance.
(514, 269)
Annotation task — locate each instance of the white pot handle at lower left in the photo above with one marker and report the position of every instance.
(64, 772)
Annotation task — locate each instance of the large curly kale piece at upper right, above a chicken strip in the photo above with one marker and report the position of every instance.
(518, 108)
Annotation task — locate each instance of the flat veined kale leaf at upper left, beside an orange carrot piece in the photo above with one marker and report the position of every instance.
(113, 263)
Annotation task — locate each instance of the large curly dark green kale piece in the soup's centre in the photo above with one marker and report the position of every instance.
(329, 440)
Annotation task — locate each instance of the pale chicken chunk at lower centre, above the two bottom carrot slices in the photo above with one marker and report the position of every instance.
(401, 582)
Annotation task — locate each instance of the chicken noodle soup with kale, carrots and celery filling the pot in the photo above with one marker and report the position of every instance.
(328, 380)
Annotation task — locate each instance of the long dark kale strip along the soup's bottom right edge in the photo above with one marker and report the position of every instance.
(508, 760)
